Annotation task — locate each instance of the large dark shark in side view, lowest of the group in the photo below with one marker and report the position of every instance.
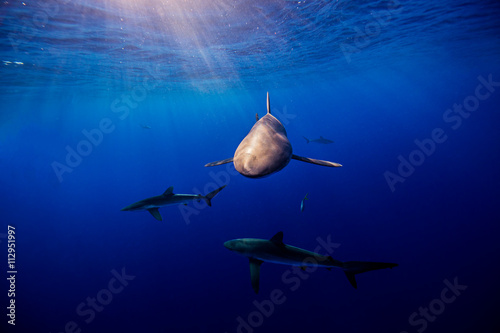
(275, 251)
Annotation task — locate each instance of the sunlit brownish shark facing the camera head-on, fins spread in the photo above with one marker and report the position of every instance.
(266, 149)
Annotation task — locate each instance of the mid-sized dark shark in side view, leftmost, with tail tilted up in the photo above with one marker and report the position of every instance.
(168, 198)
